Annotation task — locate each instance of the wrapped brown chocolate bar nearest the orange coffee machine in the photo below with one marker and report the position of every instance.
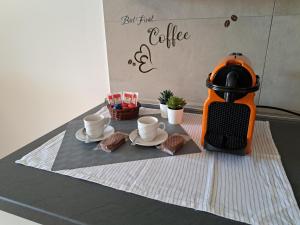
(174, 143)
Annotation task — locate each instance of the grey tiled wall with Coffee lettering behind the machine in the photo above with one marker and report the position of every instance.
(267, 31)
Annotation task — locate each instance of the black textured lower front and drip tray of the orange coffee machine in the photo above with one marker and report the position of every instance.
(227, 127)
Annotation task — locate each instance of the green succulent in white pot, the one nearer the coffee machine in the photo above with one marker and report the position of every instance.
(175, 109)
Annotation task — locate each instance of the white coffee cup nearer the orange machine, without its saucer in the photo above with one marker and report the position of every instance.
(148, 126)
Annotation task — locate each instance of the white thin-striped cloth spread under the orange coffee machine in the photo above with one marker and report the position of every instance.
(253, 189)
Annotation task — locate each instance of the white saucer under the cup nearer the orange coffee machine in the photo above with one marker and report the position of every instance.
(162, 136)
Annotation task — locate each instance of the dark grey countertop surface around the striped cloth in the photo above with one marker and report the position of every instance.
(54, 199)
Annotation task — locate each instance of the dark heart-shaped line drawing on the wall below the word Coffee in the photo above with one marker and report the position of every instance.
(143, 56)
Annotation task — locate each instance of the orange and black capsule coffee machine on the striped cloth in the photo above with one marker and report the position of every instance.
(229, 111)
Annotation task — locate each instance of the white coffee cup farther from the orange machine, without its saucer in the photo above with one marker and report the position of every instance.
(95, 124)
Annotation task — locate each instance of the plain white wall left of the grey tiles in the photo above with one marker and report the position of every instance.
(53, 66)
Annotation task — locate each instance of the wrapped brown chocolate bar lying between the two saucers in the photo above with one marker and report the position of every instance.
(113, 142)
